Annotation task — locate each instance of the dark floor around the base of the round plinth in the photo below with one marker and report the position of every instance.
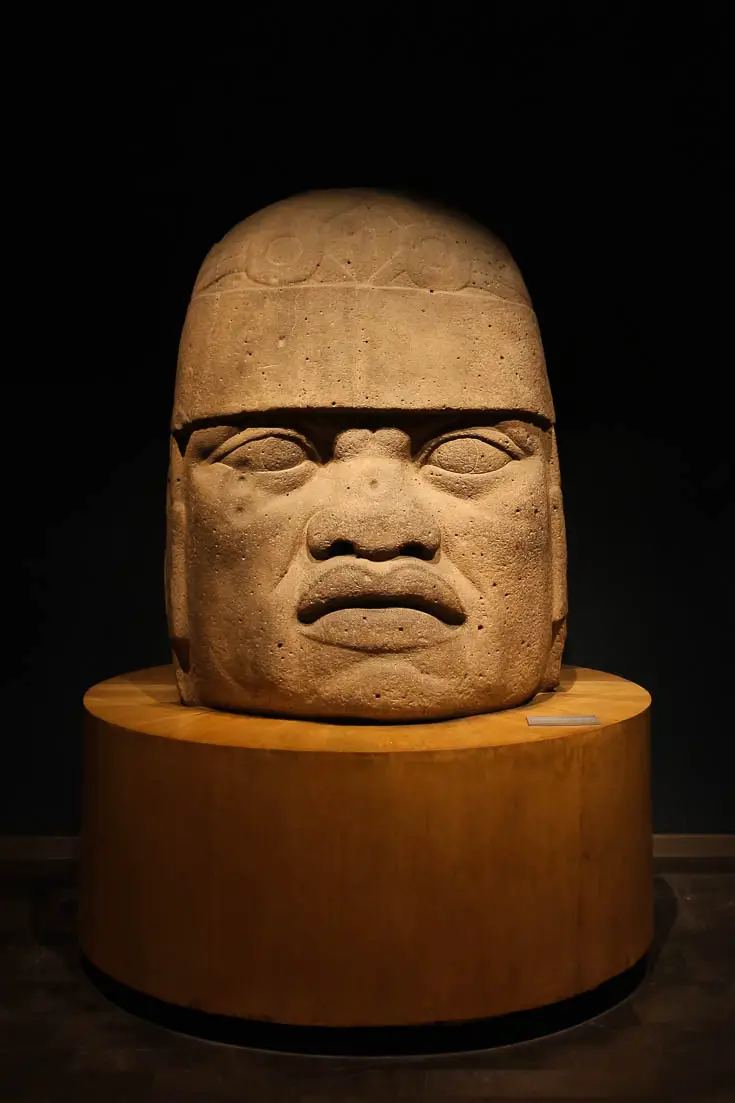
(61, 1041)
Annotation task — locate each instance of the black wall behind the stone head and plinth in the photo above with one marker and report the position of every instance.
(592, 141)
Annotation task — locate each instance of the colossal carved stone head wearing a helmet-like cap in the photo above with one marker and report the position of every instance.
(365, 507)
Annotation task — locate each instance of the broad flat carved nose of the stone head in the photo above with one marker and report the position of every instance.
(370, 537)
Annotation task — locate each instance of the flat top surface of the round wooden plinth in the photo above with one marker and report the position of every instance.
(147, 702)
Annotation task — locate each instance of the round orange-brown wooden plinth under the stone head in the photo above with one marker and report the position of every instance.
(359, 875)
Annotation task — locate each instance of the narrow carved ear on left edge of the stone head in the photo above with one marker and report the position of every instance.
(176, 567)
